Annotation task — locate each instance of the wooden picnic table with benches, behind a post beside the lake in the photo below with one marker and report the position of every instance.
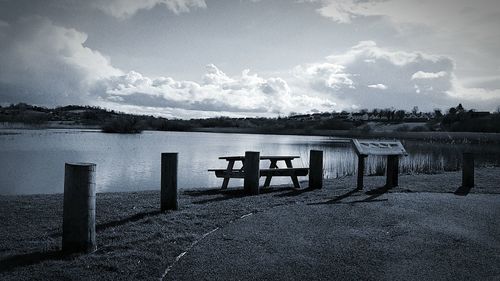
(272, 171)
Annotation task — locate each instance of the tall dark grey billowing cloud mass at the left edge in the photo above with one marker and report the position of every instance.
(49, 64)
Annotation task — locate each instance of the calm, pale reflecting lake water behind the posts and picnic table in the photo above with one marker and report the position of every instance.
(32, 161)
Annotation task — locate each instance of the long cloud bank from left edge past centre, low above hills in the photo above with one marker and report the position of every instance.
(47, 64)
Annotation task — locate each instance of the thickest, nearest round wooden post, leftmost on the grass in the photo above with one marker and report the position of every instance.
(79, 208)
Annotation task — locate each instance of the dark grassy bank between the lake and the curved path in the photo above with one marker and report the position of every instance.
(136, 241)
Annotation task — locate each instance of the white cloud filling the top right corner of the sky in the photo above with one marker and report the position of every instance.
(466, 31)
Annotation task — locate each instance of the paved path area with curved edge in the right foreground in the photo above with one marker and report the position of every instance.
(394, 236)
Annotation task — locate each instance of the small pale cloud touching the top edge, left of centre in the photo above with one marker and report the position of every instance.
(123, 9)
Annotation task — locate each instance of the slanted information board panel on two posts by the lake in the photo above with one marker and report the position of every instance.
(378, 147)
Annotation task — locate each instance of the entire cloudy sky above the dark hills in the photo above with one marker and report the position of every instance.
(204, 58)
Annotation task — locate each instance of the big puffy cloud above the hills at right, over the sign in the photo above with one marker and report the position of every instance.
(353, 79)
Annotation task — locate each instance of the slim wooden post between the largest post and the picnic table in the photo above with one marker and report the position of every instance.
(169, 181)
